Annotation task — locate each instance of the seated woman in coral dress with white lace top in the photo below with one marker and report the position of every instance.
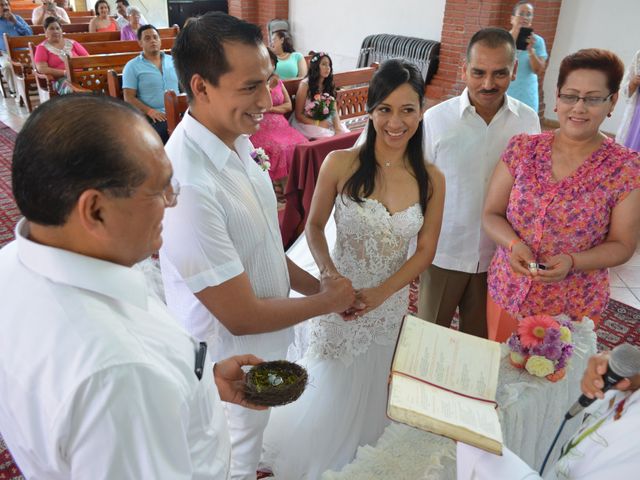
(50, 54)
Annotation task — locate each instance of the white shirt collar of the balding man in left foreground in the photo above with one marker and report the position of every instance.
(65, 267)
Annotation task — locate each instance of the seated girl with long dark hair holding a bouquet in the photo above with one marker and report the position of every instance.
(319, 81)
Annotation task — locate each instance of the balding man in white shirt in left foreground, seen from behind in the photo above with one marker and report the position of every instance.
(97, 379)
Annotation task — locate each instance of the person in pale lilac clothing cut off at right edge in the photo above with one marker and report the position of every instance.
(629, 132)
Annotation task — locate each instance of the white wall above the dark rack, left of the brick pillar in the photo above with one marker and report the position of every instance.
(316, 26)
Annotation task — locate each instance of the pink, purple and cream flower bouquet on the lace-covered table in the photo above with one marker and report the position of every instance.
(542, 346)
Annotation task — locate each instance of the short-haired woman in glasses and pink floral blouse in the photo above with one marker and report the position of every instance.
(568, 199)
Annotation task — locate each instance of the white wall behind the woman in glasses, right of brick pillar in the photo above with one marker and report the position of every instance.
(610, 24)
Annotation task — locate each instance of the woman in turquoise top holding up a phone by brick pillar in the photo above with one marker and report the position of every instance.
(532, 56)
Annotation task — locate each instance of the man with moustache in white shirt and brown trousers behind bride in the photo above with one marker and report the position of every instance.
(465, 137)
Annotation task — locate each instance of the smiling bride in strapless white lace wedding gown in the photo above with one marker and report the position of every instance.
(384, 195)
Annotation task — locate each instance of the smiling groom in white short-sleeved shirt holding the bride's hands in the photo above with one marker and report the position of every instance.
(224, 269)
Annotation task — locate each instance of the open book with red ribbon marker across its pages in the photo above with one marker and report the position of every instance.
(445, 381)
